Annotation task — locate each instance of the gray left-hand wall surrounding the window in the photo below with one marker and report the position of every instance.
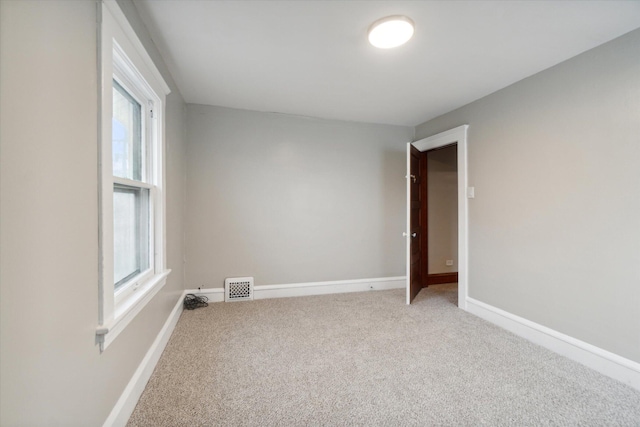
(51, 370)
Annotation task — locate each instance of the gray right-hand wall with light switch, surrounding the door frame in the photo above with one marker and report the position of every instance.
(554, 230)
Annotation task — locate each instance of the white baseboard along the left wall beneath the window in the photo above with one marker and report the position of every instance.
(129, 398)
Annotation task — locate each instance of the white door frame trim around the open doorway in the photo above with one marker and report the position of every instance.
(457, 136)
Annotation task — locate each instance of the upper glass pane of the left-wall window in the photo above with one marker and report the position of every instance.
(126, 135)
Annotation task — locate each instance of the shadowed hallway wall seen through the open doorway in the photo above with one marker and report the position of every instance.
(442, 183)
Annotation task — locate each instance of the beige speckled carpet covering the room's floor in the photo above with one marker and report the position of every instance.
(367, 359)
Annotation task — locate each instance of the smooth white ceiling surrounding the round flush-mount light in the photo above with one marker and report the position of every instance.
(312, 58)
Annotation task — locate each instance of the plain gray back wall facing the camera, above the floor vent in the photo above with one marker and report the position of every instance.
(291, 199)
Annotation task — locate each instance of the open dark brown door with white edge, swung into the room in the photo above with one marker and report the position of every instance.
(413, 233)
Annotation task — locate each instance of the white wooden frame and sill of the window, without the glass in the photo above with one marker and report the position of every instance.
(122, 57)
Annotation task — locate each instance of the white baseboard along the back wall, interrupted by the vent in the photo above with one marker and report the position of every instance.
(311, 288)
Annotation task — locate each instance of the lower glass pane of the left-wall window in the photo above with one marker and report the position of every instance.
(131, 232)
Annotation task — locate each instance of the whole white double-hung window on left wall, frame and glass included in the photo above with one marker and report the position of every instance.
(132, 252)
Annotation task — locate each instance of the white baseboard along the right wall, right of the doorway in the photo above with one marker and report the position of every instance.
(603, 361)
